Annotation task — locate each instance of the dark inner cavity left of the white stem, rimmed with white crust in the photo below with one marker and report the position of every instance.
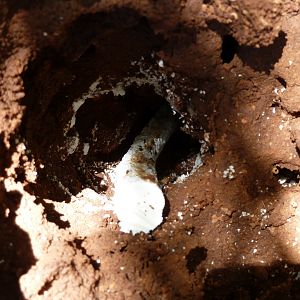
(110, 123)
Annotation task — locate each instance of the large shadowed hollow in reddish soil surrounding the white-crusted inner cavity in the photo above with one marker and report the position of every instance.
(106, 97)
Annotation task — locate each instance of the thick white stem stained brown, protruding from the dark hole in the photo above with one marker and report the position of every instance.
(138, 200)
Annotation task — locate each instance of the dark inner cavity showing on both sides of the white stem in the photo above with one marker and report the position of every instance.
(100, 120)
